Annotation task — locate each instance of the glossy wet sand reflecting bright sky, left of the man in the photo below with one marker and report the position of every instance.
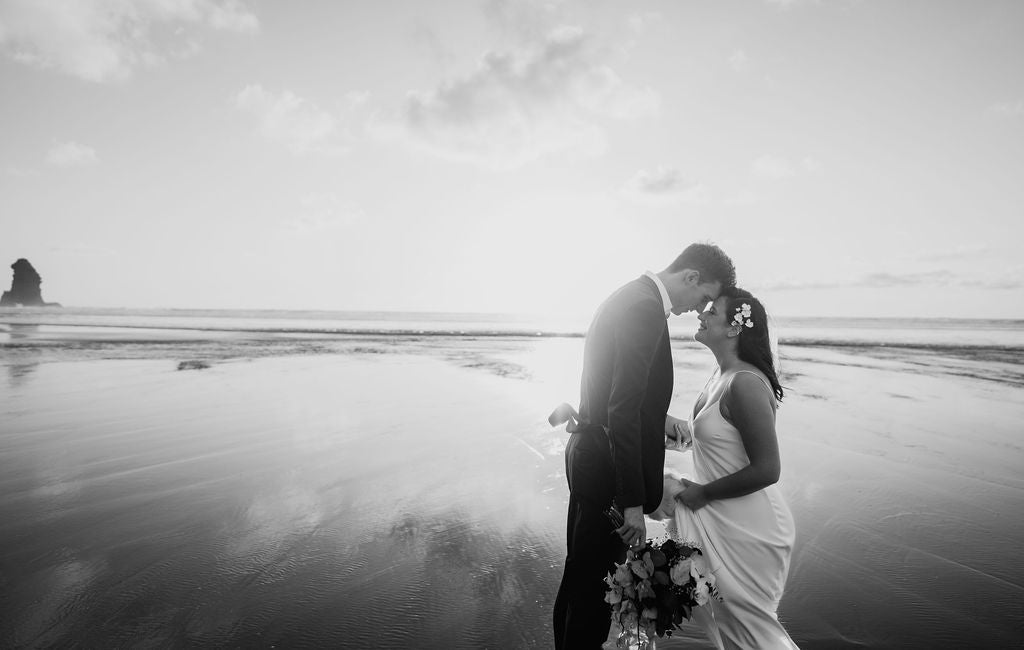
(314, 516)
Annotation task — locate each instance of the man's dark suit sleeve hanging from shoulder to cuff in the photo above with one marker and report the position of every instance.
(636, 342)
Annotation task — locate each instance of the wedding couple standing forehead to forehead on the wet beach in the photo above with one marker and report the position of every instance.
(615, 458)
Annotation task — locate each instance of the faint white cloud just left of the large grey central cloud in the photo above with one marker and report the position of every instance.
(289, 120)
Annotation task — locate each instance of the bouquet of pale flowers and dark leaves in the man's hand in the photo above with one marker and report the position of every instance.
(656, 589)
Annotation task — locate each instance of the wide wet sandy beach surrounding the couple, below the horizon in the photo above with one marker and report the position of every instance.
(193, 488)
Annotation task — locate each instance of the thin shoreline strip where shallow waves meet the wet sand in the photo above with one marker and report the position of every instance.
(191, 346)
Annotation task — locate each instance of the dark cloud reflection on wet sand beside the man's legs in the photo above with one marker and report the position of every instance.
(450, 581)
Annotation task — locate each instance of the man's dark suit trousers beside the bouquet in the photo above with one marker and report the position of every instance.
(582, 618)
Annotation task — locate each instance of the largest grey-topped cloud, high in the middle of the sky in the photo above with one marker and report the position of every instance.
(522, 106)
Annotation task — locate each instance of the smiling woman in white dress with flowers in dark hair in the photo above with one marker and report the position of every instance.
(733, 509)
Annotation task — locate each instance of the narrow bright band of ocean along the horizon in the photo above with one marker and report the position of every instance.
(942, 333)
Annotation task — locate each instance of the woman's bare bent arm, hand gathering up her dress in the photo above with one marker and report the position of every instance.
(752, 411)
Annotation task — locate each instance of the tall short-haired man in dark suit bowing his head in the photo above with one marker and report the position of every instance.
(617, 451)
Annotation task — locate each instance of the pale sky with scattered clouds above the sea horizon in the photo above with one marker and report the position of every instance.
(856, 158)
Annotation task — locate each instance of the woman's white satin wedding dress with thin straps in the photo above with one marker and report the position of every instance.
(747, 542)
